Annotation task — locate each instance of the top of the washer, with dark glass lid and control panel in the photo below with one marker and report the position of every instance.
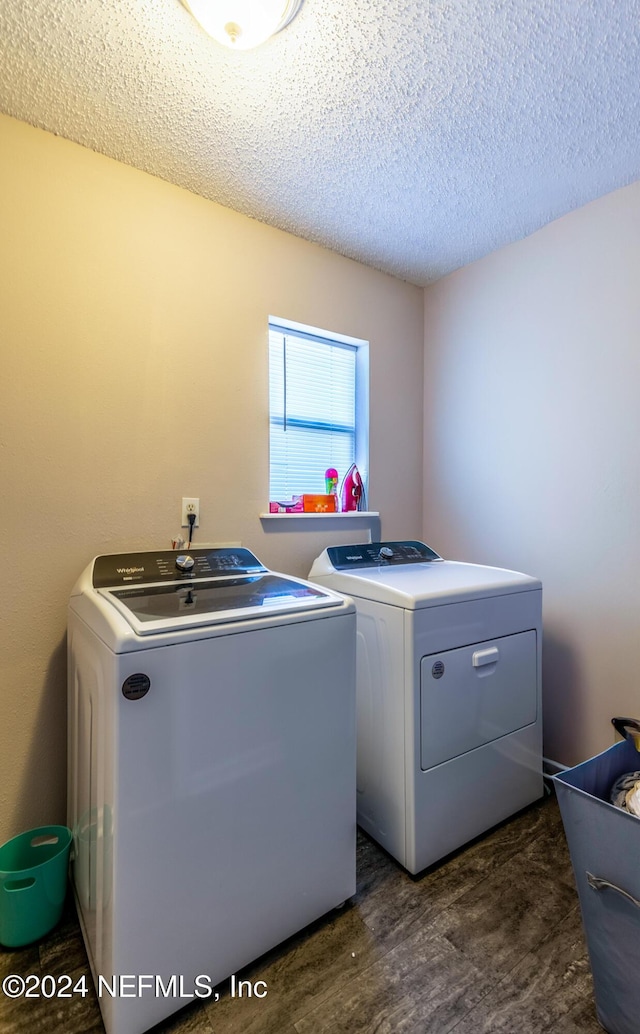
(168, 592)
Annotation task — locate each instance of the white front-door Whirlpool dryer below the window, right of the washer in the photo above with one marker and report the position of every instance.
(449, 710)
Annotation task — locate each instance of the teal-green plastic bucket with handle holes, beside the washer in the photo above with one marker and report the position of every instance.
(34, 875)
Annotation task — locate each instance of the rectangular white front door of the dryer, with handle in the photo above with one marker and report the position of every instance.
(476, 694)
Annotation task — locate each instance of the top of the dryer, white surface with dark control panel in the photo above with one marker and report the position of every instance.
(412, 575)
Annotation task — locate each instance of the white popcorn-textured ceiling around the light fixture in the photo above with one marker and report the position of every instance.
(415, 136)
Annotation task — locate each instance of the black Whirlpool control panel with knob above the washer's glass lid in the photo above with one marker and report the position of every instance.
(169, 565)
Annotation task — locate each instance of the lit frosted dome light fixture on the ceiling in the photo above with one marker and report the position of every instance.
(242, 24)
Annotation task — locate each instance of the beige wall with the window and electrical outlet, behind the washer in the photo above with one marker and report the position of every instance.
(134, 322)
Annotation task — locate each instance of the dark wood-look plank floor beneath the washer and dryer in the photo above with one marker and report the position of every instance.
(489, 942)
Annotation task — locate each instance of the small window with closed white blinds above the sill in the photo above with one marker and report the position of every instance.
(318, 408)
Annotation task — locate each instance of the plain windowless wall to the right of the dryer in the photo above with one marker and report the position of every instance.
(533, 448)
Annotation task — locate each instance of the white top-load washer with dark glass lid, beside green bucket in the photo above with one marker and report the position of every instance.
(212, 770)
